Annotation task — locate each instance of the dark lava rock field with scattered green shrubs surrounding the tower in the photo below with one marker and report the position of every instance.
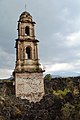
(61, 101)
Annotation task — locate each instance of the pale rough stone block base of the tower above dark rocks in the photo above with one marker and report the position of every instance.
(29, 86)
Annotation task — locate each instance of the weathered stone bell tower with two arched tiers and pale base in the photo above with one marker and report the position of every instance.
(29, 83)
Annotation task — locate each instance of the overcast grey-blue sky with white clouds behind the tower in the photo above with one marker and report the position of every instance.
(57, 29)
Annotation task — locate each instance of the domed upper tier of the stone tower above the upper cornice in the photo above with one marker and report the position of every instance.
(26, 26)
